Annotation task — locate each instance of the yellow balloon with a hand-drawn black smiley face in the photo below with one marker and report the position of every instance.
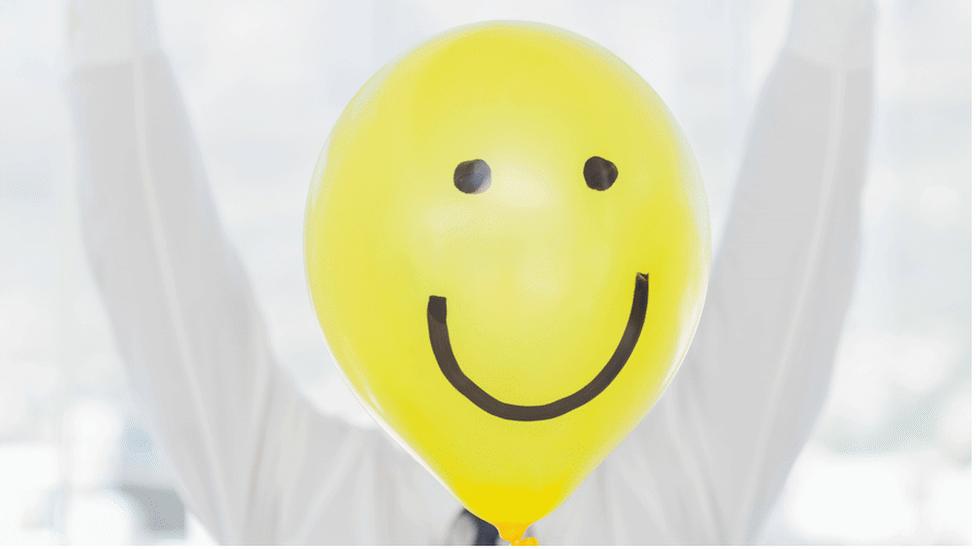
(507, 248)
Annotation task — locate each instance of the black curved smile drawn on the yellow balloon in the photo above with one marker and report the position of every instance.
(440, 343)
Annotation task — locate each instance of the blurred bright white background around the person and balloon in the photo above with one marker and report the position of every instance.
(890, 460)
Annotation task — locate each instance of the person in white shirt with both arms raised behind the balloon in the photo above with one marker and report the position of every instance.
(256, 463)
